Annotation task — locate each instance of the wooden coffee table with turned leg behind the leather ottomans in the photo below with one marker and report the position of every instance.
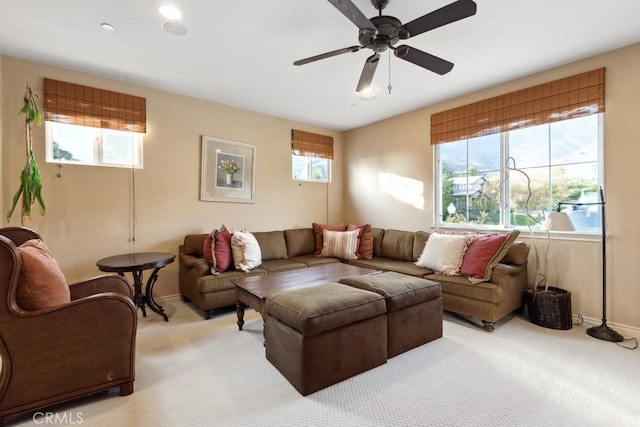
(252, 291)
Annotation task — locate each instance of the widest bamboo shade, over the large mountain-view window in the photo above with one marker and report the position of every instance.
(562, 99)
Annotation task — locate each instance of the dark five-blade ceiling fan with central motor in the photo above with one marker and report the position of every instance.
(383, 32)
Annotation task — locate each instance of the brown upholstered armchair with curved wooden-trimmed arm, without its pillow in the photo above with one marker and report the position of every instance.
(54, 354)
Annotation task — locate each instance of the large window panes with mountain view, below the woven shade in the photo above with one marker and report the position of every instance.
(481, 180)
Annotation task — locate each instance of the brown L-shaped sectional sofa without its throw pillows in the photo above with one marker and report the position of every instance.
(393, 250)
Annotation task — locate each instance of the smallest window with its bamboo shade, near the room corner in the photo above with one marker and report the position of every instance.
(311, 156)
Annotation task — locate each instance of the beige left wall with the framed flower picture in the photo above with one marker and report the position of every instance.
(89, 209)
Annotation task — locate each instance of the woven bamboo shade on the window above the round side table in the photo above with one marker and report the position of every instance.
(87, 106)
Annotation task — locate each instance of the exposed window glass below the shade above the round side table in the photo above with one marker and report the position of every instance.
(83, 145)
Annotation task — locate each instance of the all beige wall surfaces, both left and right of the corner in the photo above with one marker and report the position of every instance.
(388, 180)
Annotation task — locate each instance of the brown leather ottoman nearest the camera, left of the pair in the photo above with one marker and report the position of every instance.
(324, 334)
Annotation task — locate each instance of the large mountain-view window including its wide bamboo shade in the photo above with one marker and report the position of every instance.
(508, 160)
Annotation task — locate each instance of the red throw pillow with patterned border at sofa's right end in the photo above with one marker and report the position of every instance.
(480, 255)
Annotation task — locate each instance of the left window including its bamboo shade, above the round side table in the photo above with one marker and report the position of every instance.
(91, 126)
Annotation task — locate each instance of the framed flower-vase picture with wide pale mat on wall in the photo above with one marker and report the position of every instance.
(227, 171)
